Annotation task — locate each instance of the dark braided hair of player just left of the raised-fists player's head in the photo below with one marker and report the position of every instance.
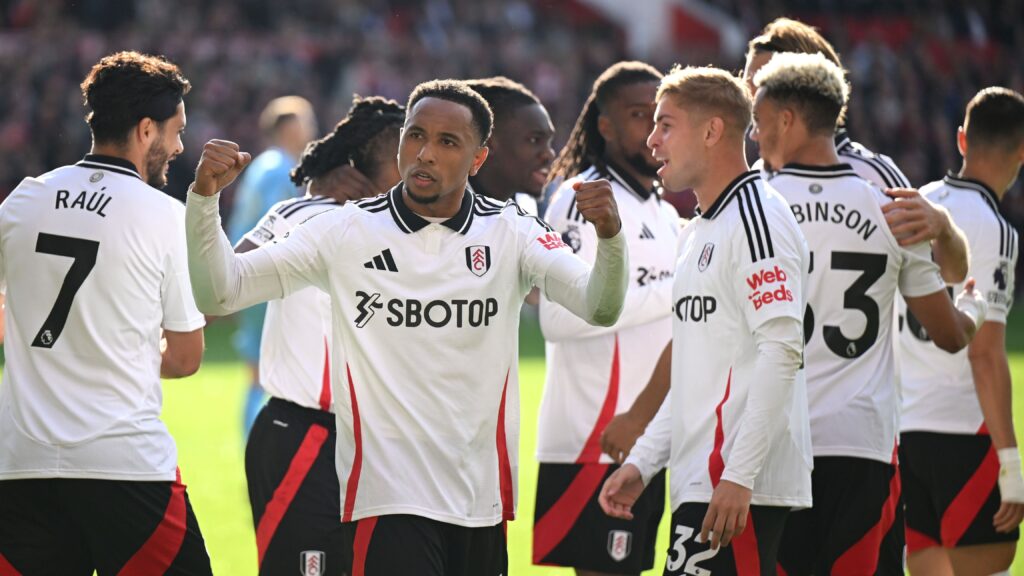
(356, 140)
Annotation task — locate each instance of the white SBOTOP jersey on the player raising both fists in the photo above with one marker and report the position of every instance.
(425, 350)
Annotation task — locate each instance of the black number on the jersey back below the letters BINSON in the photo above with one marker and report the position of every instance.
(872, 267)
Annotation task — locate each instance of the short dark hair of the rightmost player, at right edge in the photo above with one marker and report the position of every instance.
(996, 119)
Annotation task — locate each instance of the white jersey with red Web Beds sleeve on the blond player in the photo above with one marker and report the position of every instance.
(744, 263)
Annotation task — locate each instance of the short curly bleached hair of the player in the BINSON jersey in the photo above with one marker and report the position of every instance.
(814, 86)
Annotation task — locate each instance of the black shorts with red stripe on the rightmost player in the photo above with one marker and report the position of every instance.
(952, 490)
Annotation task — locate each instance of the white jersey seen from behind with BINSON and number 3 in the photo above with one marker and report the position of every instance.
(858, 268)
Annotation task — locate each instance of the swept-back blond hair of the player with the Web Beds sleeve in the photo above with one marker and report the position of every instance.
(712, 91)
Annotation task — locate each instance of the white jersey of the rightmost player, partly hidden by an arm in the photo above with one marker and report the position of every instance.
(938, 388)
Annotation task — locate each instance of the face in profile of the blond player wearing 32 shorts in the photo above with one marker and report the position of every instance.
(676, 144)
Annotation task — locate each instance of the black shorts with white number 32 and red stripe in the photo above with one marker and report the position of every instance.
(752, 554)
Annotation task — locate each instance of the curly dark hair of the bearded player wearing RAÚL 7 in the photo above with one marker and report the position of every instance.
(123, 89)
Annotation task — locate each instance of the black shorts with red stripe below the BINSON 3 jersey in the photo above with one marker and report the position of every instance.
(857, 525)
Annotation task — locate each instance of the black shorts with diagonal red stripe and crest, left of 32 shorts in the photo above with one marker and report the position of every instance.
(571, 529)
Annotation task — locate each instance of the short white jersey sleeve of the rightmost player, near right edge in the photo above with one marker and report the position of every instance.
(994, 260)
